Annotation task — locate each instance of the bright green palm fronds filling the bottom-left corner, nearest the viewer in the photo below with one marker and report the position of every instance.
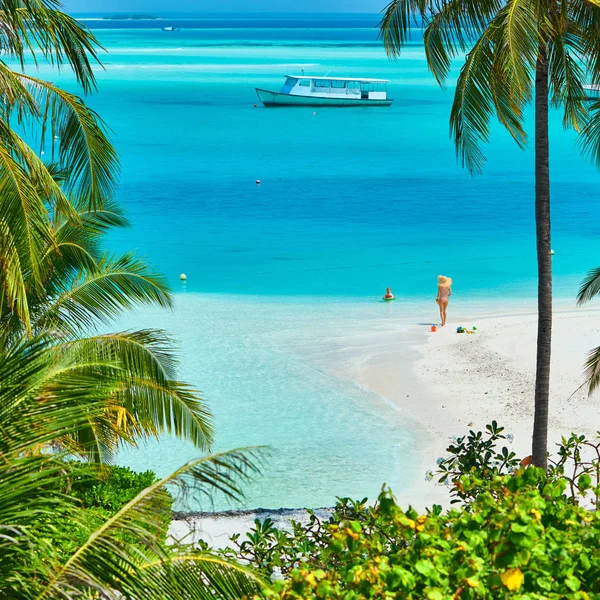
(123, 557)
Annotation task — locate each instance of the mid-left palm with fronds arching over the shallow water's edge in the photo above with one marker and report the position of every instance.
(81, 288)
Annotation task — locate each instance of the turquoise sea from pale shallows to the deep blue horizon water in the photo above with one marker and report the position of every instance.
(350, 201)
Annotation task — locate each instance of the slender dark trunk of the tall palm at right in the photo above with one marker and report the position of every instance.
(542, 225)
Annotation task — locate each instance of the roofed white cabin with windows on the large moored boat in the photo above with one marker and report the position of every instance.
(335, 87)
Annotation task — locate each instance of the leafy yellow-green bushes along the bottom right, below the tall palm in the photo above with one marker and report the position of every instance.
(519, 533)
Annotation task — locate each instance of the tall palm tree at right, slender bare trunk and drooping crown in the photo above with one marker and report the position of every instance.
(517, 52)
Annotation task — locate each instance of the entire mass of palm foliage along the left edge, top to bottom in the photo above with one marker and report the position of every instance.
(67, 388)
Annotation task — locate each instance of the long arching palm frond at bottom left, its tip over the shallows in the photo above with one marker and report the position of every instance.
(106, 564)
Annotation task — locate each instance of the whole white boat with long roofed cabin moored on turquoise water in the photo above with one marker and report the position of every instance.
(306, 90)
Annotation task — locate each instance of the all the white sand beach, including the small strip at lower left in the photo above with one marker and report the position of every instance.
(447, 383)
